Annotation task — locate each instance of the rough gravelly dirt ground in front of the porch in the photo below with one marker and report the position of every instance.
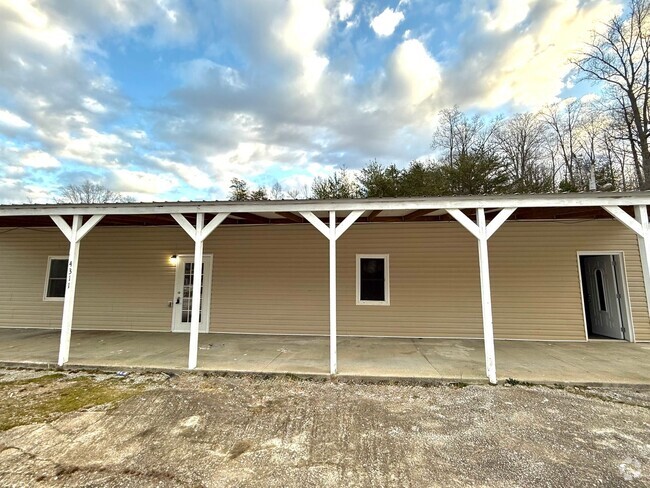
(191, 430)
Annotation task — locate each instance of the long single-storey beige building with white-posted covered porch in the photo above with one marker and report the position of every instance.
(563, 267)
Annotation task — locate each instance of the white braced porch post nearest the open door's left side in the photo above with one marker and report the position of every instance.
(482, 231)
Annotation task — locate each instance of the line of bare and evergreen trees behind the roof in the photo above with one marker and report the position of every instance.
(600, 143)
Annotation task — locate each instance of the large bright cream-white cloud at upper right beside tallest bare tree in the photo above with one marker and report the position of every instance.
(501, 65)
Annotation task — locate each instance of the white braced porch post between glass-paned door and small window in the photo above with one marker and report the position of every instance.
(333, 232)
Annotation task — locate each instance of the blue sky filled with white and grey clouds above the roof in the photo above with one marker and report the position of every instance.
(168, 100)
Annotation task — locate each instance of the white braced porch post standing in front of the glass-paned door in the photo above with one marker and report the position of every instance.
(198, 234)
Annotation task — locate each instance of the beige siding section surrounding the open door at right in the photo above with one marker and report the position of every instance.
(535, 278)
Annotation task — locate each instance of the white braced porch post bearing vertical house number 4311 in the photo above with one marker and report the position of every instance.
(74, 234)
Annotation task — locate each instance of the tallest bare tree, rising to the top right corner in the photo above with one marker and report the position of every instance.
(620, 57)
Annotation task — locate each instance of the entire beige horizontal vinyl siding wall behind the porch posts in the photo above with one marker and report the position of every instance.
(274, 279)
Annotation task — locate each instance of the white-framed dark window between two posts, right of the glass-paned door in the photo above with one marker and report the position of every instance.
(373, 284)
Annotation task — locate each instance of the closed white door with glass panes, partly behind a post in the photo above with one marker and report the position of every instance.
(182, 304)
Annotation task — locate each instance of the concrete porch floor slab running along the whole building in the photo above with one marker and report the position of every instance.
(596, 362)
